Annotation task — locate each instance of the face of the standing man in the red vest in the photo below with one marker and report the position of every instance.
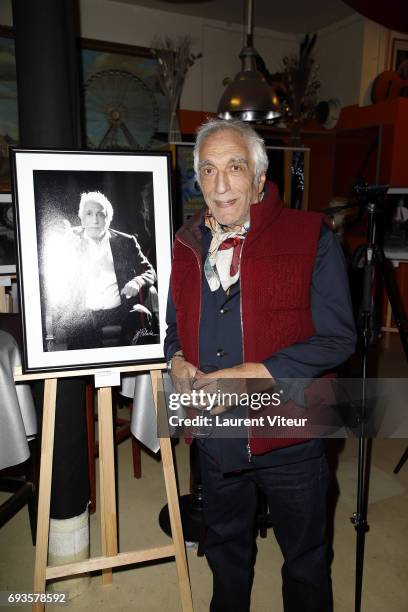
(227, 178)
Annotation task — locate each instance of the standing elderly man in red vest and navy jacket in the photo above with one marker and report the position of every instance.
(257, 291)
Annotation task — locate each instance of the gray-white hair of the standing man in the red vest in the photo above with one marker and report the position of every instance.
(254, 142)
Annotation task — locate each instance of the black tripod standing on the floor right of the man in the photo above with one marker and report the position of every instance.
(374, 260)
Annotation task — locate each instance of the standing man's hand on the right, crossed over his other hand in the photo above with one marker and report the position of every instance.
(232, 380)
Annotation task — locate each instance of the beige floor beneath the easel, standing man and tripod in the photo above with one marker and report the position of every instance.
(154, 587)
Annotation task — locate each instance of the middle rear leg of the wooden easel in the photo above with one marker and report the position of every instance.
(109, 536)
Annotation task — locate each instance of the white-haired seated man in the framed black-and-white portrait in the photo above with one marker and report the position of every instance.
(104, 271)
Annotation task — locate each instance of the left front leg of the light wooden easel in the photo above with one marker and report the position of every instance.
(44, 497)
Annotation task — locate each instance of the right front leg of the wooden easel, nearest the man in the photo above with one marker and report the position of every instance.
(174, 510)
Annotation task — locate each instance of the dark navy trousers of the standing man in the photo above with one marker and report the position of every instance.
(296, 495)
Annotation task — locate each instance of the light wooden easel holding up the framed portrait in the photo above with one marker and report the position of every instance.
(110, 556)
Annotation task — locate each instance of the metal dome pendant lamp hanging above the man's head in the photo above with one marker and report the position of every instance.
(249, 97)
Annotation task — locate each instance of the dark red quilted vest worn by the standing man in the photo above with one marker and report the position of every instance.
(277, 263)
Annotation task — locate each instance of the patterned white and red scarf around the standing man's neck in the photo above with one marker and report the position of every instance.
(222, 263)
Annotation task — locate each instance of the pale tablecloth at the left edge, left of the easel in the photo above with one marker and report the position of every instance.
(18, 420)
